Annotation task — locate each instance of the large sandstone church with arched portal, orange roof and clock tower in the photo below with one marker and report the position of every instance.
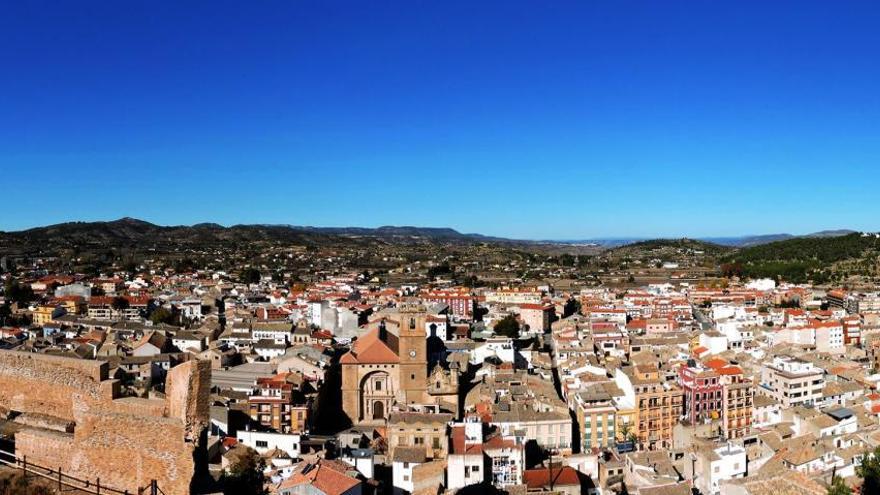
(386, 371)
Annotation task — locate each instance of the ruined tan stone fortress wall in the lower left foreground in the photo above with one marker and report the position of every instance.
(125, 442)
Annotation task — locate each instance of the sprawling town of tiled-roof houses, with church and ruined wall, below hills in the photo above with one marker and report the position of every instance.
(645, 369)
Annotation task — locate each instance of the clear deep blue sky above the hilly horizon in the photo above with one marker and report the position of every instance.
(523, 119)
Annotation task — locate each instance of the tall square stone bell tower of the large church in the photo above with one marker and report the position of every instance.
(413, 353)
